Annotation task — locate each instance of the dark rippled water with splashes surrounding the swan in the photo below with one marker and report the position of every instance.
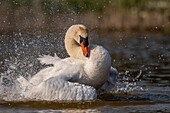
(147, 54)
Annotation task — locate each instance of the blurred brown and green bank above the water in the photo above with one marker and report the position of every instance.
(52, 16)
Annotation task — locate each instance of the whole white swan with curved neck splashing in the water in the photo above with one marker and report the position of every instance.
(74, 78)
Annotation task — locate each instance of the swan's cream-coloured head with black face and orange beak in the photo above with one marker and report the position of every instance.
(79, 35)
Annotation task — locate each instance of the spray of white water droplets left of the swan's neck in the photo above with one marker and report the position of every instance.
(19, 55)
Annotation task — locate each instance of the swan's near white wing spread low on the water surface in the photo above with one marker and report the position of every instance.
(56, 88)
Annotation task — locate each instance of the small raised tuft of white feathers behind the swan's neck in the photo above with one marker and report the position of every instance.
(47, 59)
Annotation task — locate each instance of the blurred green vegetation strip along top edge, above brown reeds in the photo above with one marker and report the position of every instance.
(79, 6)
